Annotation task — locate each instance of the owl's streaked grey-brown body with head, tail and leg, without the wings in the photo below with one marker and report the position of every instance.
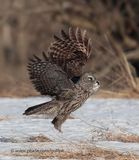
(69, 100)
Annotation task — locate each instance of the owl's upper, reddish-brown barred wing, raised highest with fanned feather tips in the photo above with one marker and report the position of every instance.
(71, 51)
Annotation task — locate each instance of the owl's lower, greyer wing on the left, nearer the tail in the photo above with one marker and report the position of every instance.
(47, 77)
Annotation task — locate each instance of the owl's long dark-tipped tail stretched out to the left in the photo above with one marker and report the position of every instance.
(48, 108)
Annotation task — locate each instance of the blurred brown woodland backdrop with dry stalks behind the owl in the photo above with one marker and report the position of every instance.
(27, 27)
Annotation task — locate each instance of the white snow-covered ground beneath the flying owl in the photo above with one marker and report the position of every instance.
(91, 124)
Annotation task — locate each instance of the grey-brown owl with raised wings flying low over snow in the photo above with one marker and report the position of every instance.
(59, 74)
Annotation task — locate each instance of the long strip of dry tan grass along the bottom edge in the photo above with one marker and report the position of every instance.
(84, 154)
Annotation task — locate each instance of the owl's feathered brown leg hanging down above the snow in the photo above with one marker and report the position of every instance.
(58, 121)
